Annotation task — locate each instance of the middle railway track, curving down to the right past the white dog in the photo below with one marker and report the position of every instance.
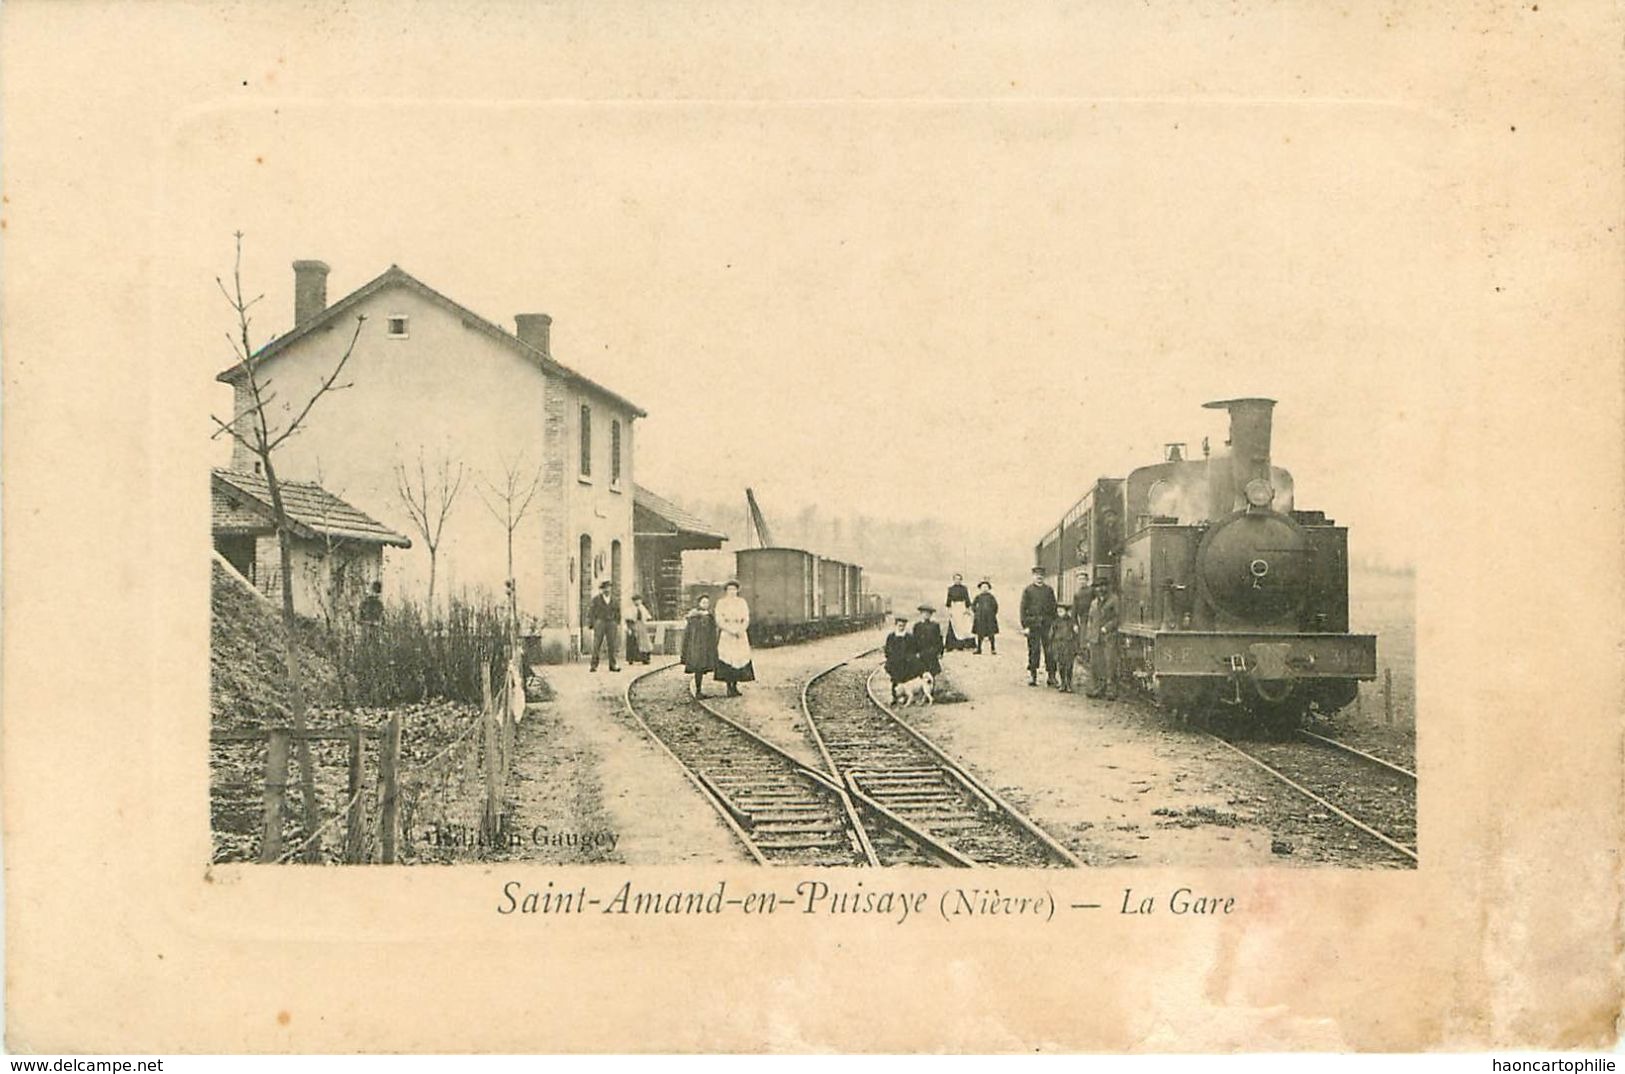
(898, 776)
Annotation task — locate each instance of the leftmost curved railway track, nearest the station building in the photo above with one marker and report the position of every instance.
(782, 812)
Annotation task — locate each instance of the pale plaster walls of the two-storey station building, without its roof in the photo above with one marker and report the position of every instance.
(448, 391)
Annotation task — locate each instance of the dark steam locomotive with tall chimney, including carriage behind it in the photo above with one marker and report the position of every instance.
(1229, 597)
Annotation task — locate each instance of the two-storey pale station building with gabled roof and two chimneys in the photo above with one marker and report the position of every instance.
(433, 383)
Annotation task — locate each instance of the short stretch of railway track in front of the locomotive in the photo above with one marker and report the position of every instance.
(1377, 797)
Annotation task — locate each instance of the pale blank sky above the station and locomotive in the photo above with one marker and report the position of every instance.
(906, 310)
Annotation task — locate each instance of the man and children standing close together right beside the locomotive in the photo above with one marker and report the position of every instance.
(1059, 636)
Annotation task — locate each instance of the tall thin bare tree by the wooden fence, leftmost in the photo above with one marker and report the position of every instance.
(261, 431)
